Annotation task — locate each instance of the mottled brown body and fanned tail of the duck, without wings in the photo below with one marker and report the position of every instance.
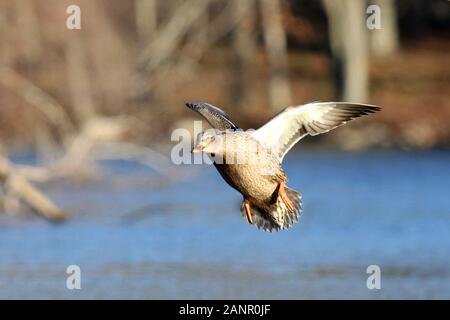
(250, 168)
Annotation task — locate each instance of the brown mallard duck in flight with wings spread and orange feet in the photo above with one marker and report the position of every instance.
(268, 203)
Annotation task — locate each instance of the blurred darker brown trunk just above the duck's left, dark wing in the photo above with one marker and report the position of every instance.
(244, 47)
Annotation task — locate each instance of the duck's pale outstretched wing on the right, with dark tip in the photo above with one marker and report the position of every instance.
(293, 123)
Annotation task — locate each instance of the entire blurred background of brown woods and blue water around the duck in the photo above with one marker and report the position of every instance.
(86, 118)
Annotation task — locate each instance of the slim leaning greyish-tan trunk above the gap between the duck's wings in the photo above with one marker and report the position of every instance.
(276, 47)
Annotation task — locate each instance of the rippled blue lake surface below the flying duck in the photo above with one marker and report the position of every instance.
(187, 239)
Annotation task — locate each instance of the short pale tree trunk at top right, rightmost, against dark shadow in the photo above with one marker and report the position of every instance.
(385, 40)
